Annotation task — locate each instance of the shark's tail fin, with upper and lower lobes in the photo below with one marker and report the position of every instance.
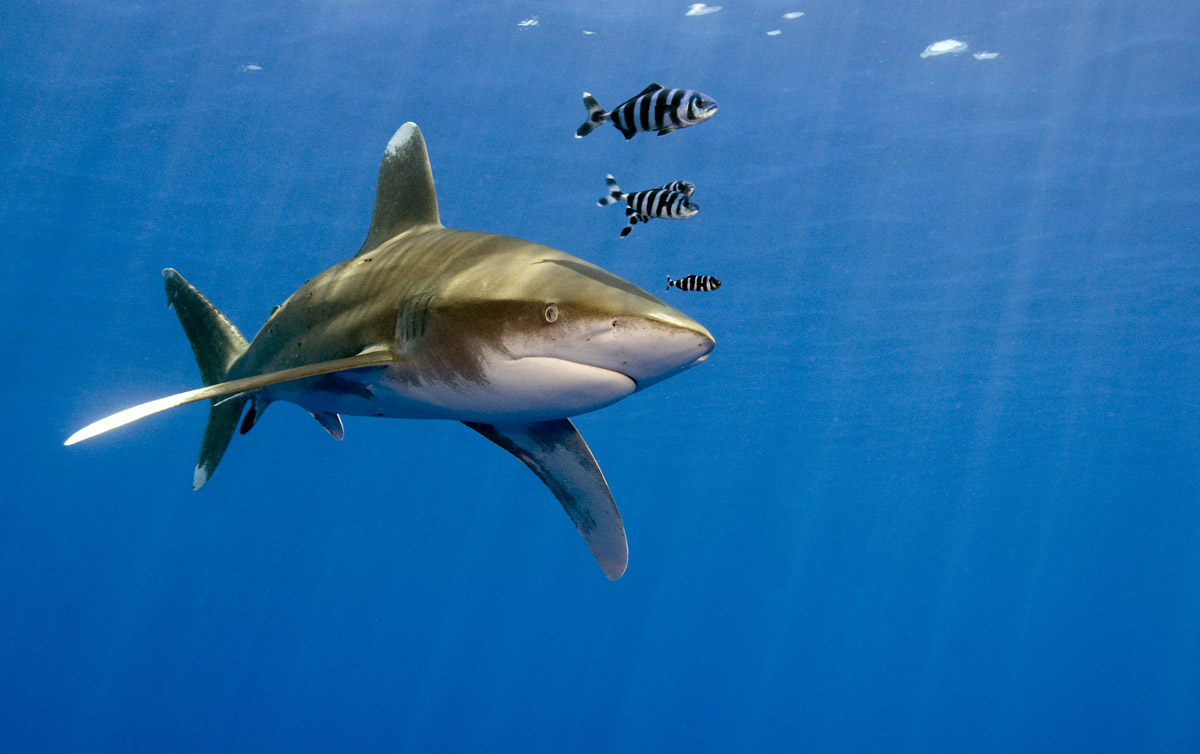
(217, 344)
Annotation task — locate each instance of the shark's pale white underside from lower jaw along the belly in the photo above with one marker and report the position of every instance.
(525, 390)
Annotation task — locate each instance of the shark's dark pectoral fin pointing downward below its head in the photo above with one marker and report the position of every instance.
(556, 452)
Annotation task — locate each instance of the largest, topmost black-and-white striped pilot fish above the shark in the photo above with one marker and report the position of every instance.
(655, 109)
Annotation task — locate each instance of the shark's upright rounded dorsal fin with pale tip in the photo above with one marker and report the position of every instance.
(405, 195)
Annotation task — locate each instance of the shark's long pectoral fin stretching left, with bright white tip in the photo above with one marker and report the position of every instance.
(247, 385)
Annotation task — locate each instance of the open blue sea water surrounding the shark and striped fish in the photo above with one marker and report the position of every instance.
(935, 490)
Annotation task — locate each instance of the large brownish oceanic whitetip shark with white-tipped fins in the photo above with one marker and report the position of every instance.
(427, 322)
